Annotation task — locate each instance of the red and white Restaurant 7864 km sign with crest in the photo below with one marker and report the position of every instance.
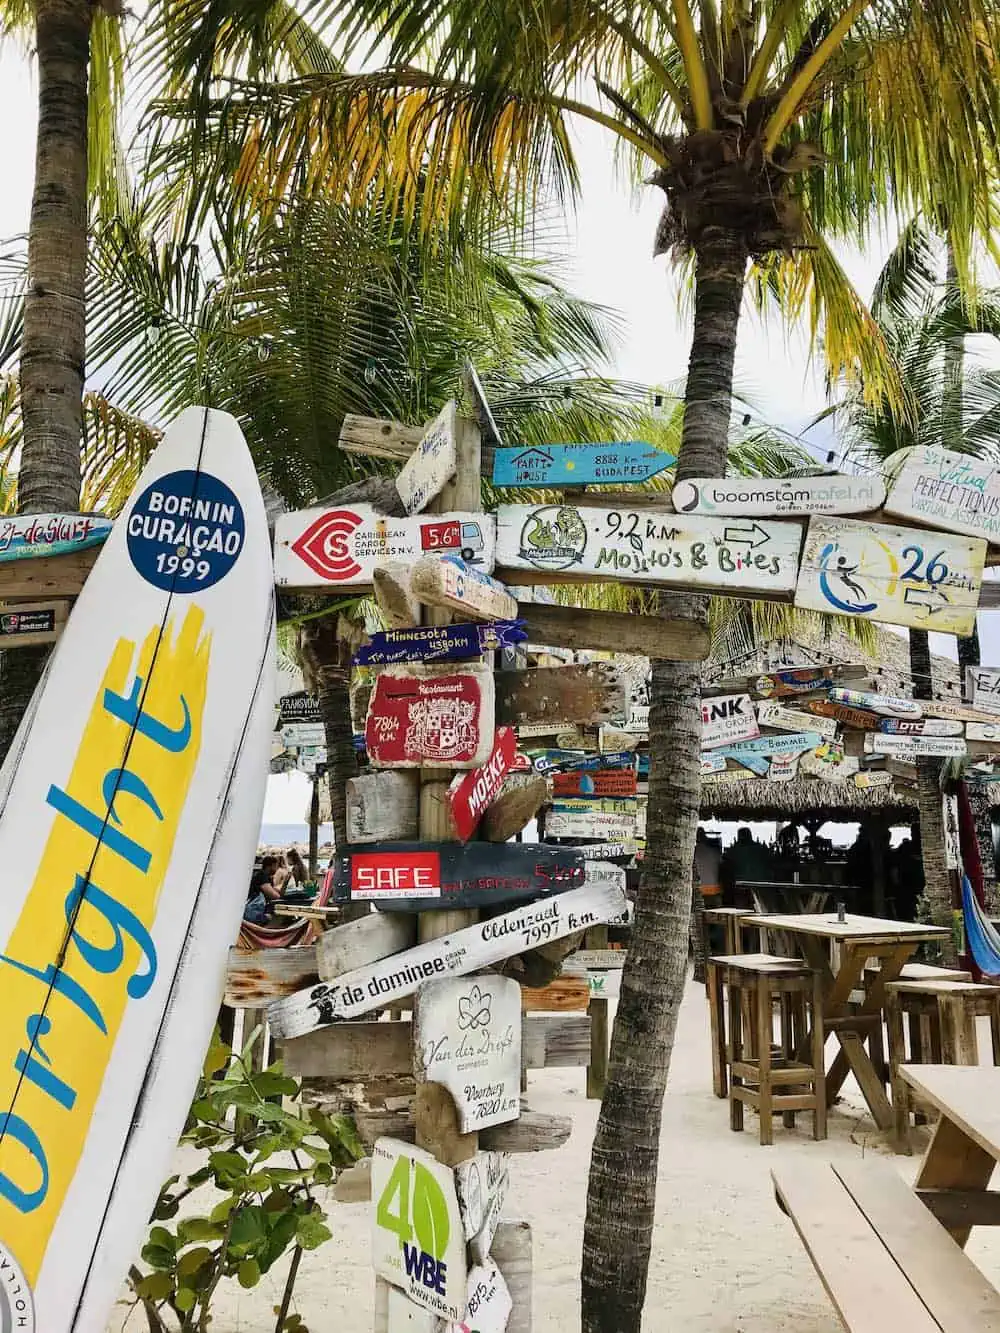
(431, 718)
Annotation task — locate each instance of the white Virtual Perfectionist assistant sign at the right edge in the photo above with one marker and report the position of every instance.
(945, 490)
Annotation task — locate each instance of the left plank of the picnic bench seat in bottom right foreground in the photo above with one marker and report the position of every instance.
(859, 1275)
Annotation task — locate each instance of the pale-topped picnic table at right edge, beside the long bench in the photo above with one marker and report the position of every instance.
(965, 1147)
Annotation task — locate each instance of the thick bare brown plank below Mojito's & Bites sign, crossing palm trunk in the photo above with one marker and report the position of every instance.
(615, 633)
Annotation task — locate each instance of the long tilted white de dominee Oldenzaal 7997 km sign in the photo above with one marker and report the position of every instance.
(457, 955)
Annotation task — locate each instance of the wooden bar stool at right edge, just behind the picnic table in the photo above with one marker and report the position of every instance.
(941, 1028)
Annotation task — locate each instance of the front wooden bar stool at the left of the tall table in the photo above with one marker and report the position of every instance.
(771, 1082)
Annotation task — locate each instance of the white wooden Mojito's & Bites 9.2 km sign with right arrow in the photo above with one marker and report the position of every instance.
(559, 543)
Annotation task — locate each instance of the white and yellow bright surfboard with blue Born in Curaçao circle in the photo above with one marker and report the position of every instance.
(130, 812)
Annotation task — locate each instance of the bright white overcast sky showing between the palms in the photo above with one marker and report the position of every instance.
(609, 261)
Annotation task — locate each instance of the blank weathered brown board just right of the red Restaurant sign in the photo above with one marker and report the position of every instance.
(585, 695)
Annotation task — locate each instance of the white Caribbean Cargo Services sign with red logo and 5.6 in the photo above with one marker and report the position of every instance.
(342, 549)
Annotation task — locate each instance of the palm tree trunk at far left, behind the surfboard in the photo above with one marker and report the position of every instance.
(54, 341)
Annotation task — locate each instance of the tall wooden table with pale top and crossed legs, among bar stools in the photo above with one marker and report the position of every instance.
(859, 939)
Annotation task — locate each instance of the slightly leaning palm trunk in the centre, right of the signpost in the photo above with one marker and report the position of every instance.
(622, 1191)
